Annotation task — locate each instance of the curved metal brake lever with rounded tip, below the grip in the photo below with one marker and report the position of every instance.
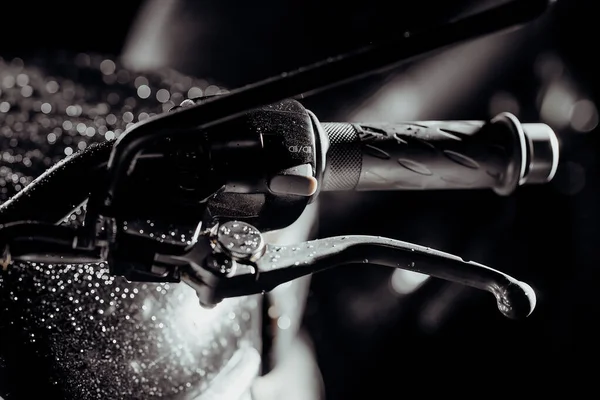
(241, 263)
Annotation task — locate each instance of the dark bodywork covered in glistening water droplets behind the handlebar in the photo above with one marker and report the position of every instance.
(73, 331)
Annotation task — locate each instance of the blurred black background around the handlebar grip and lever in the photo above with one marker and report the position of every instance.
(368, 338)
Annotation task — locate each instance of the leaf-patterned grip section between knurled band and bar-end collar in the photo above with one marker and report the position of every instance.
(430, 155)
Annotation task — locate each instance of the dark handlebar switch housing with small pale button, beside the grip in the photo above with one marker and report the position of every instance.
(262, 166)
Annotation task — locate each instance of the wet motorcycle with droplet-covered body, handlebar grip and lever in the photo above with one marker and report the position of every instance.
(93, 271)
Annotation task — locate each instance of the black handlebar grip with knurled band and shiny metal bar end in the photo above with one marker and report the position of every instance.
(500, 154)
